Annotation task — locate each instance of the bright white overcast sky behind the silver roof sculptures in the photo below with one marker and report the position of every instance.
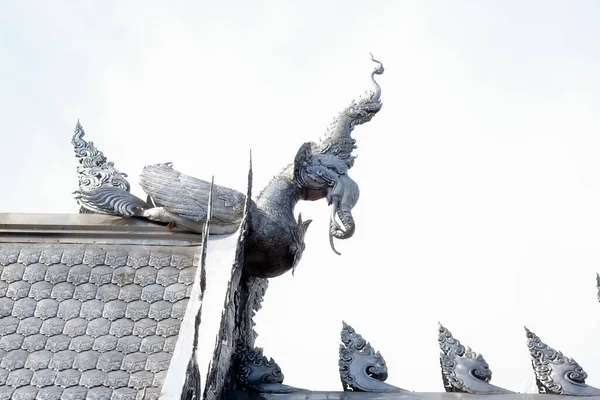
(479, 178)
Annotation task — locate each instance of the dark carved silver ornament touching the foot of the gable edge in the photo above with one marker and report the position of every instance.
(255, 373)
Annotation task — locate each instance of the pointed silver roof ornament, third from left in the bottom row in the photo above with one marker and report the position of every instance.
(463, 370)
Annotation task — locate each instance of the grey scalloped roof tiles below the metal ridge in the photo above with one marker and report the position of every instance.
(90, 321)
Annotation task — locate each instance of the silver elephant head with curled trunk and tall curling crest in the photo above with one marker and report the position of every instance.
(321, 169)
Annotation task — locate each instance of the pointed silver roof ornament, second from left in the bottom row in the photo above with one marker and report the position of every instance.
(362, 369)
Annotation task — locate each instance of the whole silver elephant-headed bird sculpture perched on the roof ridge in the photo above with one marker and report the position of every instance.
(276, 240)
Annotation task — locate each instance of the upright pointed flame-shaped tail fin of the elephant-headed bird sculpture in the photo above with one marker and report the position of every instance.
(94, 171)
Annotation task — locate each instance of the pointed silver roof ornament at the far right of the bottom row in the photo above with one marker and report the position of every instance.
(556, 373)
